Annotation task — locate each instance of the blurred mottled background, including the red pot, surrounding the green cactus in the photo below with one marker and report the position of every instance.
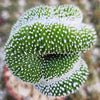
(11, 88)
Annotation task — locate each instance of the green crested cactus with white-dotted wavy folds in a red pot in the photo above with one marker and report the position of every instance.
(44, 47)
